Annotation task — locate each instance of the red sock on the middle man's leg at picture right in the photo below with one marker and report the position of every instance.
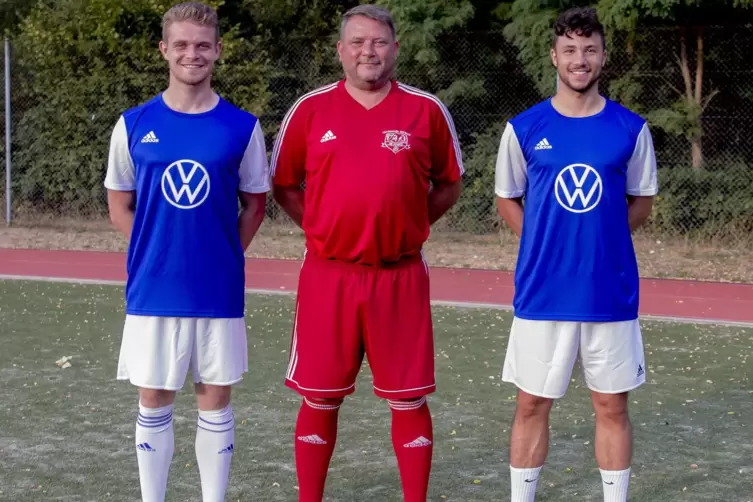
(413, 438)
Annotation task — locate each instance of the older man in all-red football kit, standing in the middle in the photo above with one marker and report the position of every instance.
(381, 163)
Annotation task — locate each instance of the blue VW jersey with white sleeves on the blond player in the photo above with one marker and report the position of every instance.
(185, 257)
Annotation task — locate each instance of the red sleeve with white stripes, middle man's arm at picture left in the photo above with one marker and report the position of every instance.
(289, 154)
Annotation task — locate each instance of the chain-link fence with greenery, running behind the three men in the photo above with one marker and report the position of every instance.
(65, 103)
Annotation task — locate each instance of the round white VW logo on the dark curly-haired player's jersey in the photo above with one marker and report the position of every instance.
(578, 188)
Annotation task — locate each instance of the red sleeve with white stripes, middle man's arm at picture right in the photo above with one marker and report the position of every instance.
(447, 157)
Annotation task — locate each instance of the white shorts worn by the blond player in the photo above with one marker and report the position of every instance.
(156, 352)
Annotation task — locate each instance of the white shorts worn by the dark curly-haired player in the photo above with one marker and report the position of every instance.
(541, 356)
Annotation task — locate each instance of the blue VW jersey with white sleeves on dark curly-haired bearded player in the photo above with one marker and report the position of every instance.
(576, 260)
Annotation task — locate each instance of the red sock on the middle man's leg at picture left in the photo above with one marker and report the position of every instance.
(315, 435)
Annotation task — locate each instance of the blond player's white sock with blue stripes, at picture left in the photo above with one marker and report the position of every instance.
(155, 443)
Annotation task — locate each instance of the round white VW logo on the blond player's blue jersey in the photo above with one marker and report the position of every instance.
(185, 184)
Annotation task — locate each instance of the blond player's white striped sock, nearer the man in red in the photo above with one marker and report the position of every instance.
(215, 434)
